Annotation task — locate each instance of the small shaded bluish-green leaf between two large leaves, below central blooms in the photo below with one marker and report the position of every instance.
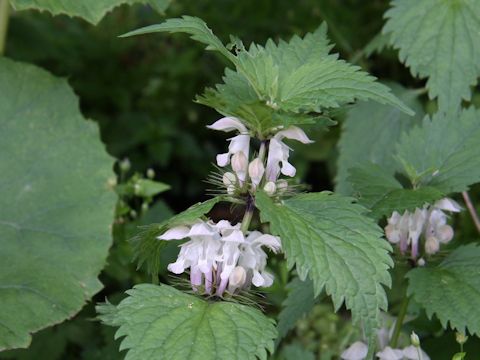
(300, 300)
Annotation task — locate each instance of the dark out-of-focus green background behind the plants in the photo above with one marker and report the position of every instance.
(140, 91)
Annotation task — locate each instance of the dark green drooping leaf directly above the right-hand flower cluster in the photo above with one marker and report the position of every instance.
(383, 194)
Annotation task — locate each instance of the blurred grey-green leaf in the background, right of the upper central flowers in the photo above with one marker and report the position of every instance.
(369, 132)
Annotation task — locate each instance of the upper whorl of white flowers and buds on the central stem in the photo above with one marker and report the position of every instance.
(260, 174)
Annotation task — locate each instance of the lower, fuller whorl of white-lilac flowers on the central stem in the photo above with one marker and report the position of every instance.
(221, 257)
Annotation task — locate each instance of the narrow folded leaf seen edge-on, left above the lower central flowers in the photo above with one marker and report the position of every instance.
(147, 248)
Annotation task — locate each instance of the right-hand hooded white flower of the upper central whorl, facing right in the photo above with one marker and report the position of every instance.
(278, 153)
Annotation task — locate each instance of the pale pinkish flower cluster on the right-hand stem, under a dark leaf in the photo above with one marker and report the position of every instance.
(431, 221)
